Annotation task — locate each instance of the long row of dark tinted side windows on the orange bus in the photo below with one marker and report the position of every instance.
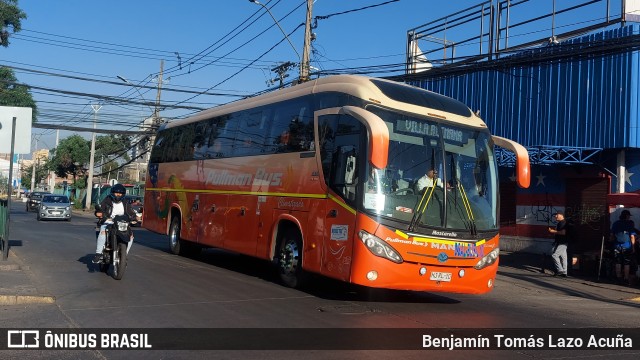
(277, 128)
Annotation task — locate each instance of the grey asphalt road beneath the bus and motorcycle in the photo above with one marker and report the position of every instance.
(227, 291)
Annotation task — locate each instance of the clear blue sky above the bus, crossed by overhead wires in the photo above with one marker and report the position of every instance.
(79, 53)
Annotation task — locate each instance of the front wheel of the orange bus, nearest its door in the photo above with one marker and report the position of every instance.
(290, 259)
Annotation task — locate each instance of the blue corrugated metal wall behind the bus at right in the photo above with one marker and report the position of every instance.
(580, 103)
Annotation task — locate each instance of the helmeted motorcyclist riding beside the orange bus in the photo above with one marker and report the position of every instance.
(112, 206)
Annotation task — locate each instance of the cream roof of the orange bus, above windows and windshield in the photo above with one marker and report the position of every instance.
(363, 87)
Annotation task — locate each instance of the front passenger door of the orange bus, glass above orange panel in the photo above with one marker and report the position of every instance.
(339, 139)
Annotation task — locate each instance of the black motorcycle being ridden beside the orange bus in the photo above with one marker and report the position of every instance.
(114, 254)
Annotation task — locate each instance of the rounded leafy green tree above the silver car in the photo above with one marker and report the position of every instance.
(71, 157)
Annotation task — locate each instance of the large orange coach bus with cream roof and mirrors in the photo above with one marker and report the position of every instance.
(330, 177)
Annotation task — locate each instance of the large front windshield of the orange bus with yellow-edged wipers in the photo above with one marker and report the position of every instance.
(438, 175)
